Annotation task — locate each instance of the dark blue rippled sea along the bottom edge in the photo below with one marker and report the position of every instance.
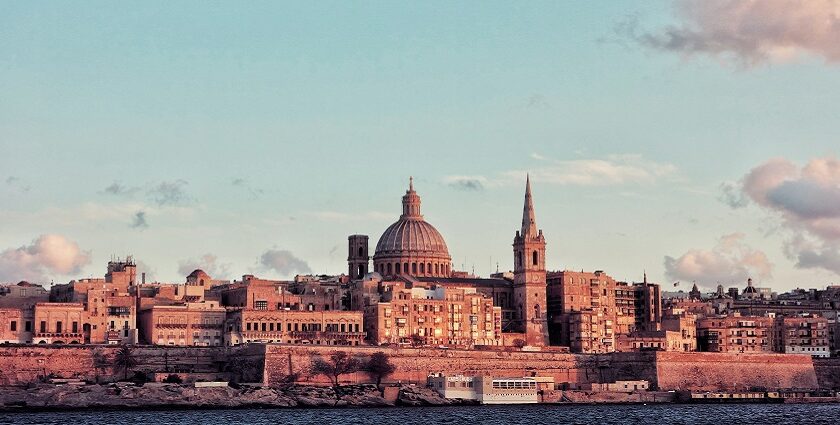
(767, 414)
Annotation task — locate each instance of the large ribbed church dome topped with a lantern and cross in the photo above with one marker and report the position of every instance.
(411, 245)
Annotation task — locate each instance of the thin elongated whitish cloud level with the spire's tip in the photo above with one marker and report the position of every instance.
(611, 170)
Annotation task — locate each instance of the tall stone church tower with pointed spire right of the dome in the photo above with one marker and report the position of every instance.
(529, 286)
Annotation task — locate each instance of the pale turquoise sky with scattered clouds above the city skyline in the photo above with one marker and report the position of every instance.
(692, 140)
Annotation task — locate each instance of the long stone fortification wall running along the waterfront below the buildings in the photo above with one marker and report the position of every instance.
(274, 364)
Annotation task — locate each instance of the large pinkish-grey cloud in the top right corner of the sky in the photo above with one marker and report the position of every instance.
(748, 32)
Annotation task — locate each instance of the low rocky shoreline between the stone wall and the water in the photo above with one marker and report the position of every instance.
(45, 397)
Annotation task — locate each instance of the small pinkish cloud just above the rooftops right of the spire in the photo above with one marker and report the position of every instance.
(730, 261)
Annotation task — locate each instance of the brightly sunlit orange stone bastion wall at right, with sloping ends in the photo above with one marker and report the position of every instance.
(723, 371)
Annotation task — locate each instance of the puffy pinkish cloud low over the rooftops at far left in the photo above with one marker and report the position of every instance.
(46, 256)
